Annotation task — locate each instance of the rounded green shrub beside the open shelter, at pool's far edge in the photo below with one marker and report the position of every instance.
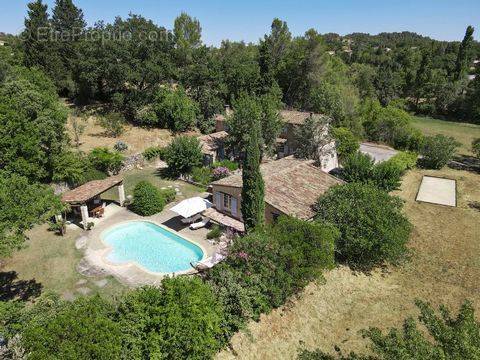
(147, 199)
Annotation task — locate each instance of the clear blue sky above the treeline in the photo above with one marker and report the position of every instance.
(249, 20)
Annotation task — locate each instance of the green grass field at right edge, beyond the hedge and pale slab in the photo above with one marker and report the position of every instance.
(462, 132)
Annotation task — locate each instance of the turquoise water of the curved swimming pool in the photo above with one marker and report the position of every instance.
(151, 246)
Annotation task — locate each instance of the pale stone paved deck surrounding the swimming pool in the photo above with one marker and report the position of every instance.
(130, 274)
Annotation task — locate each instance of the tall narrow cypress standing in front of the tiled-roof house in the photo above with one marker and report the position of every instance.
(253, 191)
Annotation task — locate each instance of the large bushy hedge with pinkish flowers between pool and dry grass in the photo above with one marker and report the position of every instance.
(264, 268)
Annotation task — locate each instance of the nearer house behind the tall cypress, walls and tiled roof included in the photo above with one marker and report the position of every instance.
(292, 187)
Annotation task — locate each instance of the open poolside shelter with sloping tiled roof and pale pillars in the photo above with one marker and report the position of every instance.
(82, 195)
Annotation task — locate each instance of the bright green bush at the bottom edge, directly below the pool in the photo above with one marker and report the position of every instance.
(181, 320)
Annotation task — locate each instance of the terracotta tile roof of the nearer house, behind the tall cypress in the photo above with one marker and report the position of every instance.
(291, 185)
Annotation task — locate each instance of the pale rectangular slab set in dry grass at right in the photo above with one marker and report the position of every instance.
(438, 191)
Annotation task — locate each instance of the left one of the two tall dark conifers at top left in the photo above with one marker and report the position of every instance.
(37, 36)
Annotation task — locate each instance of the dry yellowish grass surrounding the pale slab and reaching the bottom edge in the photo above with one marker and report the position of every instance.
(444, 268)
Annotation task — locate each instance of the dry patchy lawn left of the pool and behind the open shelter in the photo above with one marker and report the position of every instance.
(50, 260)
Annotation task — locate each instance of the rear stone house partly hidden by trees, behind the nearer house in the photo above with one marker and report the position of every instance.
(287, 142)
